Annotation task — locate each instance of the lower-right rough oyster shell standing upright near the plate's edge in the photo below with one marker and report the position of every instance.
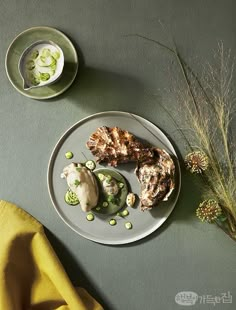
(156, 178)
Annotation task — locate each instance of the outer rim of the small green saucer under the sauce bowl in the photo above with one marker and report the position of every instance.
(72, 47)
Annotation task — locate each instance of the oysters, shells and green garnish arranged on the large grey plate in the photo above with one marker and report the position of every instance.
(105, 191)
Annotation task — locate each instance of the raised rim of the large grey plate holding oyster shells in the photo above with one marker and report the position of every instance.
(81, 233)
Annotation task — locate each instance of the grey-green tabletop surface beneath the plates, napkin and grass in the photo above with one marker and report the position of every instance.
(123, 73)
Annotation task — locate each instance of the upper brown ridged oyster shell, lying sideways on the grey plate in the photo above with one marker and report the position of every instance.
(114, 145)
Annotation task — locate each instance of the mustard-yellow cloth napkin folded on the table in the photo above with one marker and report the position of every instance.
(31, 275)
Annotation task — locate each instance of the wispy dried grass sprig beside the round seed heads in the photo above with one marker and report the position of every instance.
(208, 106)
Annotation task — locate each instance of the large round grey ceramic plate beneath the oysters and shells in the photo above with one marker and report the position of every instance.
(99, 230)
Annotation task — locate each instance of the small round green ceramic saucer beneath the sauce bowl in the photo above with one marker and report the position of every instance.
(25, 39)
